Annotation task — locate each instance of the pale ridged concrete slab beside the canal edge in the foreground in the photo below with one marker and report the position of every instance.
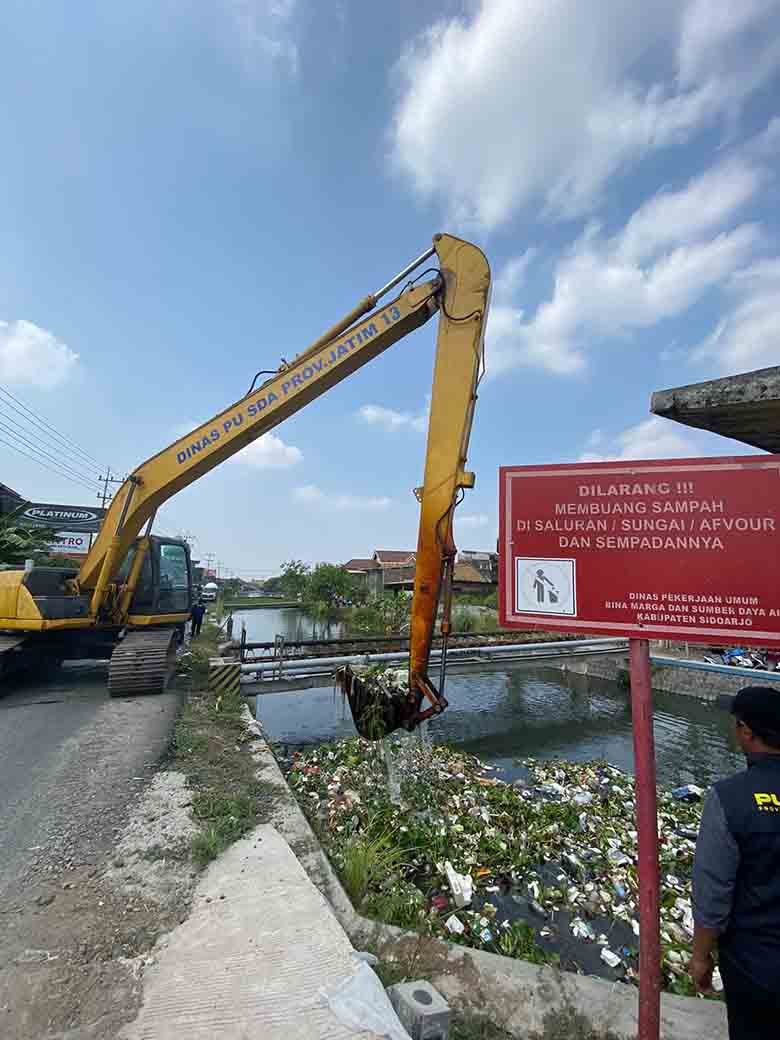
(250, 960)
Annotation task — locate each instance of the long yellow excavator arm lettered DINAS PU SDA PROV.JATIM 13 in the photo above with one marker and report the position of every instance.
(460, 292)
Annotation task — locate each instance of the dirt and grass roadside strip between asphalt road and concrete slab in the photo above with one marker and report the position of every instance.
(74, 949)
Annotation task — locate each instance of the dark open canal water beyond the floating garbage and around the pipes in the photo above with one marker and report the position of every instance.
(512, 712)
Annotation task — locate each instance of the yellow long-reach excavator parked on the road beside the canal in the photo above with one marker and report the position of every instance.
(132, 596)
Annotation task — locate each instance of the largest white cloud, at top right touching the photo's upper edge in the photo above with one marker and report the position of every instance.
(548, 101)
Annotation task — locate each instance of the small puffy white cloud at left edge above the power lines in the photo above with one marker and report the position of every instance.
(33, 357)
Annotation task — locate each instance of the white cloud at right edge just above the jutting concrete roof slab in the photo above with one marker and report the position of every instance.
(749, 336)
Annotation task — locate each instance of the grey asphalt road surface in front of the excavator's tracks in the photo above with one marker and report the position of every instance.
(71, 762)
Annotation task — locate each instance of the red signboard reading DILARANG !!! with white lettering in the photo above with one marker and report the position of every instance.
(673, 550)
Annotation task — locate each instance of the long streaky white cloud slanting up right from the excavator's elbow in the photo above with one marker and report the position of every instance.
(656, 268)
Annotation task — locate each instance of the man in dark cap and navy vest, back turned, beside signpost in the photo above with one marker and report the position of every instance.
(737, 875)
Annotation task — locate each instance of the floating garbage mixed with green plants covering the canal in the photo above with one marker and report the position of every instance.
(544, 870)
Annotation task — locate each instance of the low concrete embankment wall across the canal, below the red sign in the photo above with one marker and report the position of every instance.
(672, 675)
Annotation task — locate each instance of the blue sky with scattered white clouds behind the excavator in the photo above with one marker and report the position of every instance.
(190, 192)
